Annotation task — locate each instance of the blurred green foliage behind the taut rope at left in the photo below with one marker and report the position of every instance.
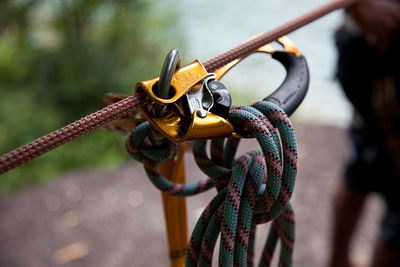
(58, 58)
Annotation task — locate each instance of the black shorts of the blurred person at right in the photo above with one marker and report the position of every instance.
(369, 170)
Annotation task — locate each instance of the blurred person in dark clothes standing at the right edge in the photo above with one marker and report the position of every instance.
(369, 72)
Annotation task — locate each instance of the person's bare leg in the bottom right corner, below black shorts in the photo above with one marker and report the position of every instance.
(385, 256)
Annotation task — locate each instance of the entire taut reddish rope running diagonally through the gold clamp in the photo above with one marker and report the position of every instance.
(120, 109)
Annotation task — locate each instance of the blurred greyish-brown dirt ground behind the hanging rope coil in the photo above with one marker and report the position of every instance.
(114, 218)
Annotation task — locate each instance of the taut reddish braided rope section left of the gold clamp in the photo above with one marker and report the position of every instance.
(68, 133)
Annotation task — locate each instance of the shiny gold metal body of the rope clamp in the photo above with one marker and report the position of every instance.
(172, 124)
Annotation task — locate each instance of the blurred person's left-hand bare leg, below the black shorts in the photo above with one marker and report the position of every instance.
(347, 207)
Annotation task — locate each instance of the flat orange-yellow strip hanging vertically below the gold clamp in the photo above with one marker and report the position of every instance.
(175, 210)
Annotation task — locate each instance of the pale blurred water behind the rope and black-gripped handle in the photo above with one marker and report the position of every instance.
(212, 27)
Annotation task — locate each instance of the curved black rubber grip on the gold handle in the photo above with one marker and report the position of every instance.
(292, 91)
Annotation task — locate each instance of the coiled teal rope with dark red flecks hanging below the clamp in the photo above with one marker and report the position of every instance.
(254, 189)
